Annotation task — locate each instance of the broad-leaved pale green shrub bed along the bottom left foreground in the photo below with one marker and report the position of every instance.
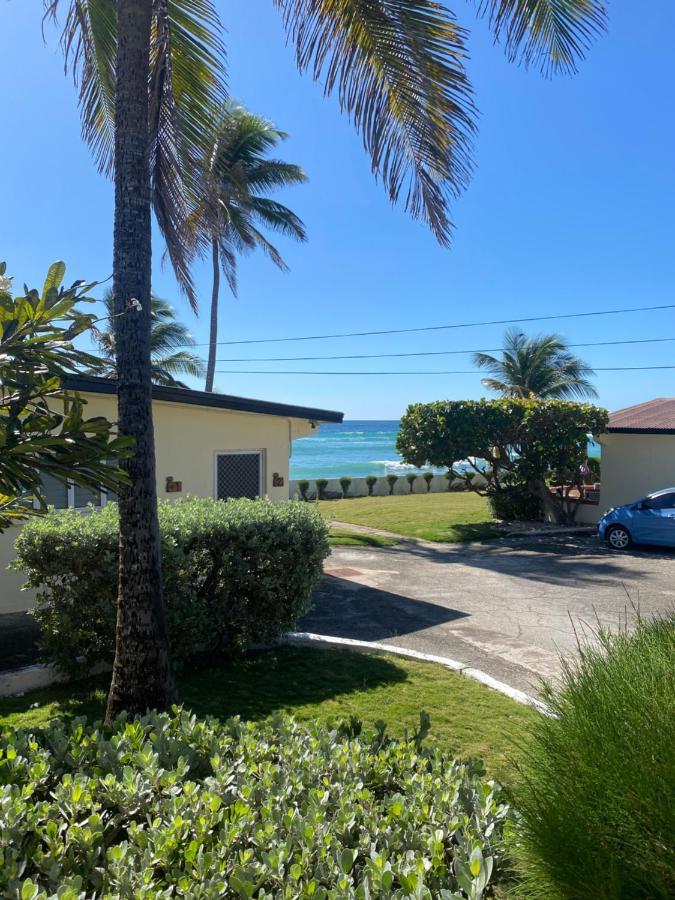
(168, 806)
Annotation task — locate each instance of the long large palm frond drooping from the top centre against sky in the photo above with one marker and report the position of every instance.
(397, 67)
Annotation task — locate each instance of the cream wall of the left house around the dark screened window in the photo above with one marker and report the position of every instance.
(187, 439)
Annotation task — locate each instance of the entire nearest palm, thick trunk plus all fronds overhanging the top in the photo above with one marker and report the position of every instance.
(150, 72)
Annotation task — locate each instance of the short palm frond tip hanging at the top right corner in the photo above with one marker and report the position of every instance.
(553, 35)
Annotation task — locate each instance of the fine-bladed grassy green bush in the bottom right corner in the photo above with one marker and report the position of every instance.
(598, 796)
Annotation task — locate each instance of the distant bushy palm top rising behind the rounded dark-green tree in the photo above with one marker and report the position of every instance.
(541, 366)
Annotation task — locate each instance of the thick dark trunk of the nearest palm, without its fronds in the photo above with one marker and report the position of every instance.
(141, 672)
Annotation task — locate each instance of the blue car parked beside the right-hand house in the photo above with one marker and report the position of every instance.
(647, 521)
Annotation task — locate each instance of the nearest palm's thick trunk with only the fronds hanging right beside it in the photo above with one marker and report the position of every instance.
(150, 73)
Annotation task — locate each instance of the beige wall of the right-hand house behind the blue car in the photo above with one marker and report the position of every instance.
(634, 465)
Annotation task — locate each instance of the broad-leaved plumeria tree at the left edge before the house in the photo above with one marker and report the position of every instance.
(43, 429)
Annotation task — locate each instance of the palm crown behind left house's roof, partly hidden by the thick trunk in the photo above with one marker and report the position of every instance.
(167, 338)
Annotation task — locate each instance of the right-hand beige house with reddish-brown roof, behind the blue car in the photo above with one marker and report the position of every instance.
(638, 452)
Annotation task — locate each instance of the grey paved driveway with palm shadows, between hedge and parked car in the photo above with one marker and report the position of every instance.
(504, 606)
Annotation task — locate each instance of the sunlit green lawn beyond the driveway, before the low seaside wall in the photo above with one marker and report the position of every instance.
(452, 516)
